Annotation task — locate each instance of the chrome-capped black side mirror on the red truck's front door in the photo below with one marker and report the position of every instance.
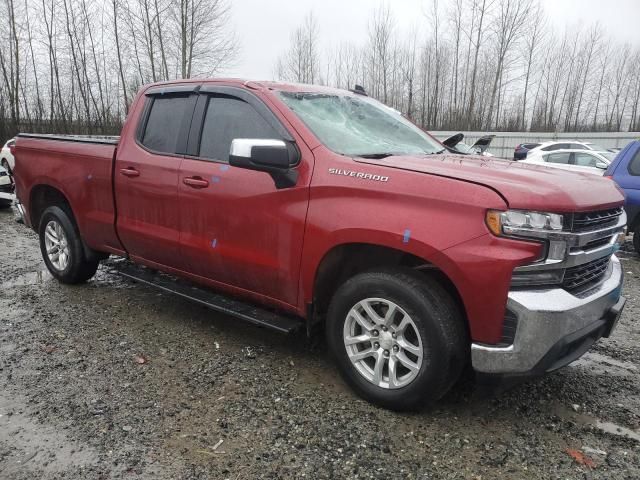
(275, 157)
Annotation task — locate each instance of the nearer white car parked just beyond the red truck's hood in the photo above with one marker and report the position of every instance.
(575, 160)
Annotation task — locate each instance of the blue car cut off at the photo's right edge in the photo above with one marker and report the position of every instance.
(625, 171)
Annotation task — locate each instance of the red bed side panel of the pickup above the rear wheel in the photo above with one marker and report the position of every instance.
(82, 172)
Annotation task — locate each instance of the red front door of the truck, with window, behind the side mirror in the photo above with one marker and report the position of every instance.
(238, 230)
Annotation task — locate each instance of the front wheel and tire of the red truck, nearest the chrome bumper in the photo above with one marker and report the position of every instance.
(436, 328)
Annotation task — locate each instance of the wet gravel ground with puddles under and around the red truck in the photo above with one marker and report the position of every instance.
(114, 380)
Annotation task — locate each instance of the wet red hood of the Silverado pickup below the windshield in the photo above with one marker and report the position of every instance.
(523, 186)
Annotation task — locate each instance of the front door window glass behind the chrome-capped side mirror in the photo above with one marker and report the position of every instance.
(228, 118)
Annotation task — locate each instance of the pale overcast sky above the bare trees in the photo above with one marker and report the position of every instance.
(264, 26)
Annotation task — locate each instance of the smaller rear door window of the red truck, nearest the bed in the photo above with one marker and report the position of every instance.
(164, 123)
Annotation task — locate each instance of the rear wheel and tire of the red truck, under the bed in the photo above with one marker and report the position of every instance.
(57, 227)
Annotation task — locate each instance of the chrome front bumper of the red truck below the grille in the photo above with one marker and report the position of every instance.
(554, 327)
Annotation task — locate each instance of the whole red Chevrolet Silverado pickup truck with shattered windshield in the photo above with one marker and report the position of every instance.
(301, 205)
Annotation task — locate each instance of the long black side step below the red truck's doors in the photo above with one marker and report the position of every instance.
(215, 301)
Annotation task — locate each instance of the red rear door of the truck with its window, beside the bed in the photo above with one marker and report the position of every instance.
(146, 177)
